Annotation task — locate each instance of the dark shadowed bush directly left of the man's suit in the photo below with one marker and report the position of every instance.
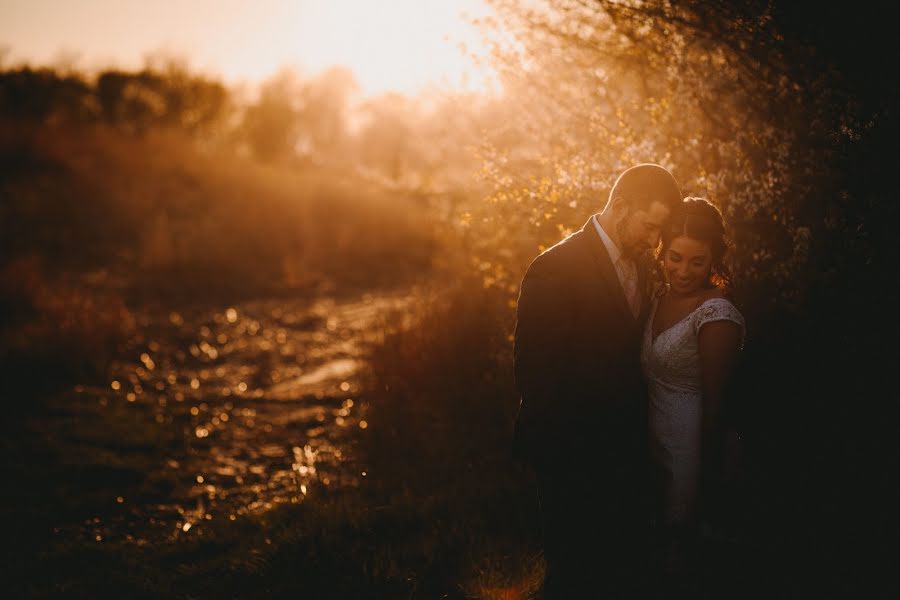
(445, 399)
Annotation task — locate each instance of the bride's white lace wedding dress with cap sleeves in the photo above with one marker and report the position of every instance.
(671, 365)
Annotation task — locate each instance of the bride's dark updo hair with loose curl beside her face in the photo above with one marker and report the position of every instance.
(700, 220)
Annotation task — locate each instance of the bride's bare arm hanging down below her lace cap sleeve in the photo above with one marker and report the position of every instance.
(719, 344)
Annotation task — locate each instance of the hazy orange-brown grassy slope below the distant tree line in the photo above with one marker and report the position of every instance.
(164, 214)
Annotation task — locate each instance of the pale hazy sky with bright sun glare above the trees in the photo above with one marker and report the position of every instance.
(402, 45)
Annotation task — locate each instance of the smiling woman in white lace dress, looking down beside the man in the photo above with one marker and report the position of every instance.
(692, 338)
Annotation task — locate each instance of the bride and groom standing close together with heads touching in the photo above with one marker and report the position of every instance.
(621, 376)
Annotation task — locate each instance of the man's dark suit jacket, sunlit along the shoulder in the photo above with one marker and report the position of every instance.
(577, 364)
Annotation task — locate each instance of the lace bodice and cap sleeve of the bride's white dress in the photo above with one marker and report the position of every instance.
(672, 360)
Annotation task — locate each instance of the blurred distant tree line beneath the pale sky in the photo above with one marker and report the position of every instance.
(290, 121)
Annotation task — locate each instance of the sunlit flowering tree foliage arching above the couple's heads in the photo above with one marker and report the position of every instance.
(744, 104)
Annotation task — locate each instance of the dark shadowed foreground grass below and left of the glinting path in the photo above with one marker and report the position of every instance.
(472, 540)
